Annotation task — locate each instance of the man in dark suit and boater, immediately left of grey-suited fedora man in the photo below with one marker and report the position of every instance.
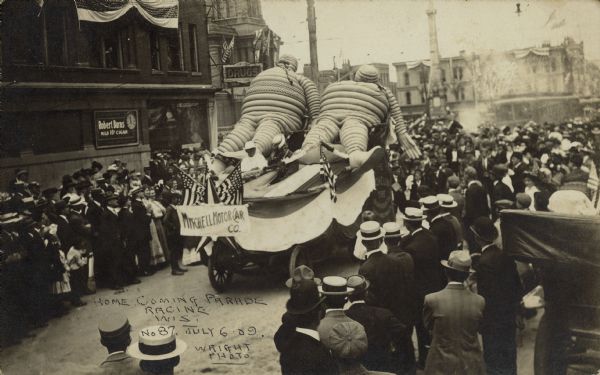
(422, 246)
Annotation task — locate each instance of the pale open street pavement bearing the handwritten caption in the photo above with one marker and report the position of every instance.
(228, 333)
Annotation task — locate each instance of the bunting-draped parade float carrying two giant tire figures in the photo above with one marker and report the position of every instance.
(310, 202)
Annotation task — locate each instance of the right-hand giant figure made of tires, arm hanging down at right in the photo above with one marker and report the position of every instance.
(350, 108)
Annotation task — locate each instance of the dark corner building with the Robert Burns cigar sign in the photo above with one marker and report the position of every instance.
(76, 91)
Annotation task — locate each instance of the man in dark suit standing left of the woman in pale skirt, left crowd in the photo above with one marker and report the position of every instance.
(139, 235)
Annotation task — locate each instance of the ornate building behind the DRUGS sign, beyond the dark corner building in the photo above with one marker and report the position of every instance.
(238, 24)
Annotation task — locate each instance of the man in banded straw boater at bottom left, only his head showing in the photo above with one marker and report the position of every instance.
(158, 350)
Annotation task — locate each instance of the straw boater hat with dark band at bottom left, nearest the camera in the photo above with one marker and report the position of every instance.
(156, 343)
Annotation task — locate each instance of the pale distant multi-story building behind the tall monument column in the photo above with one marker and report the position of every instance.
(500, 82)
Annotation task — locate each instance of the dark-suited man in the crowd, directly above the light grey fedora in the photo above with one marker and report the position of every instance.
(476, 205)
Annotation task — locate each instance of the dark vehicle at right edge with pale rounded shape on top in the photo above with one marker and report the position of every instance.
(563, 247)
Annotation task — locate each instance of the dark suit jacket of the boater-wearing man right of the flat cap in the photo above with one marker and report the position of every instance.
(383, 329)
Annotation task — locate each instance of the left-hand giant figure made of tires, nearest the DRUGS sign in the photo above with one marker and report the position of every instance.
(277, 102)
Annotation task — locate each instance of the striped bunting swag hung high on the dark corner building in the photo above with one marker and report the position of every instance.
(163, 13)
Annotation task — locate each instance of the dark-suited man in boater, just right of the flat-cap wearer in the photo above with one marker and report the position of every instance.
(384, 331)
